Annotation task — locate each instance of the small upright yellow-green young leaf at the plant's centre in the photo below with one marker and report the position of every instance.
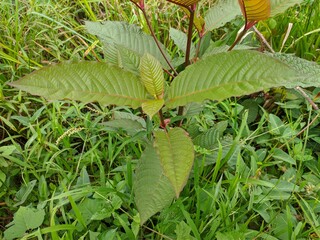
(152, 75)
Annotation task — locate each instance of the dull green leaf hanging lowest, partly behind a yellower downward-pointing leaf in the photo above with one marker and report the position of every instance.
(151, 187)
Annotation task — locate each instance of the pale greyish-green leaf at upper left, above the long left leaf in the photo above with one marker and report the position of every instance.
(127, 35)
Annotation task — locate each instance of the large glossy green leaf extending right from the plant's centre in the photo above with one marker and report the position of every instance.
(229, 74)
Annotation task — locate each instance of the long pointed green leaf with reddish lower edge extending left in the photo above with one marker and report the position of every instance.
(87, 82)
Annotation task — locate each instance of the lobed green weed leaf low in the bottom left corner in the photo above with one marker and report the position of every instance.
(24, 219)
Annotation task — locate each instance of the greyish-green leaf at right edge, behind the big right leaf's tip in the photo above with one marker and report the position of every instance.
(310, 70)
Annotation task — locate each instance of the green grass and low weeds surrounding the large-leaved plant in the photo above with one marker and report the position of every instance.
(58, 159)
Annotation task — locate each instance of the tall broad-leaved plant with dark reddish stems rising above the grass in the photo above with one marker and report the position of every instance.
(140, 73)
